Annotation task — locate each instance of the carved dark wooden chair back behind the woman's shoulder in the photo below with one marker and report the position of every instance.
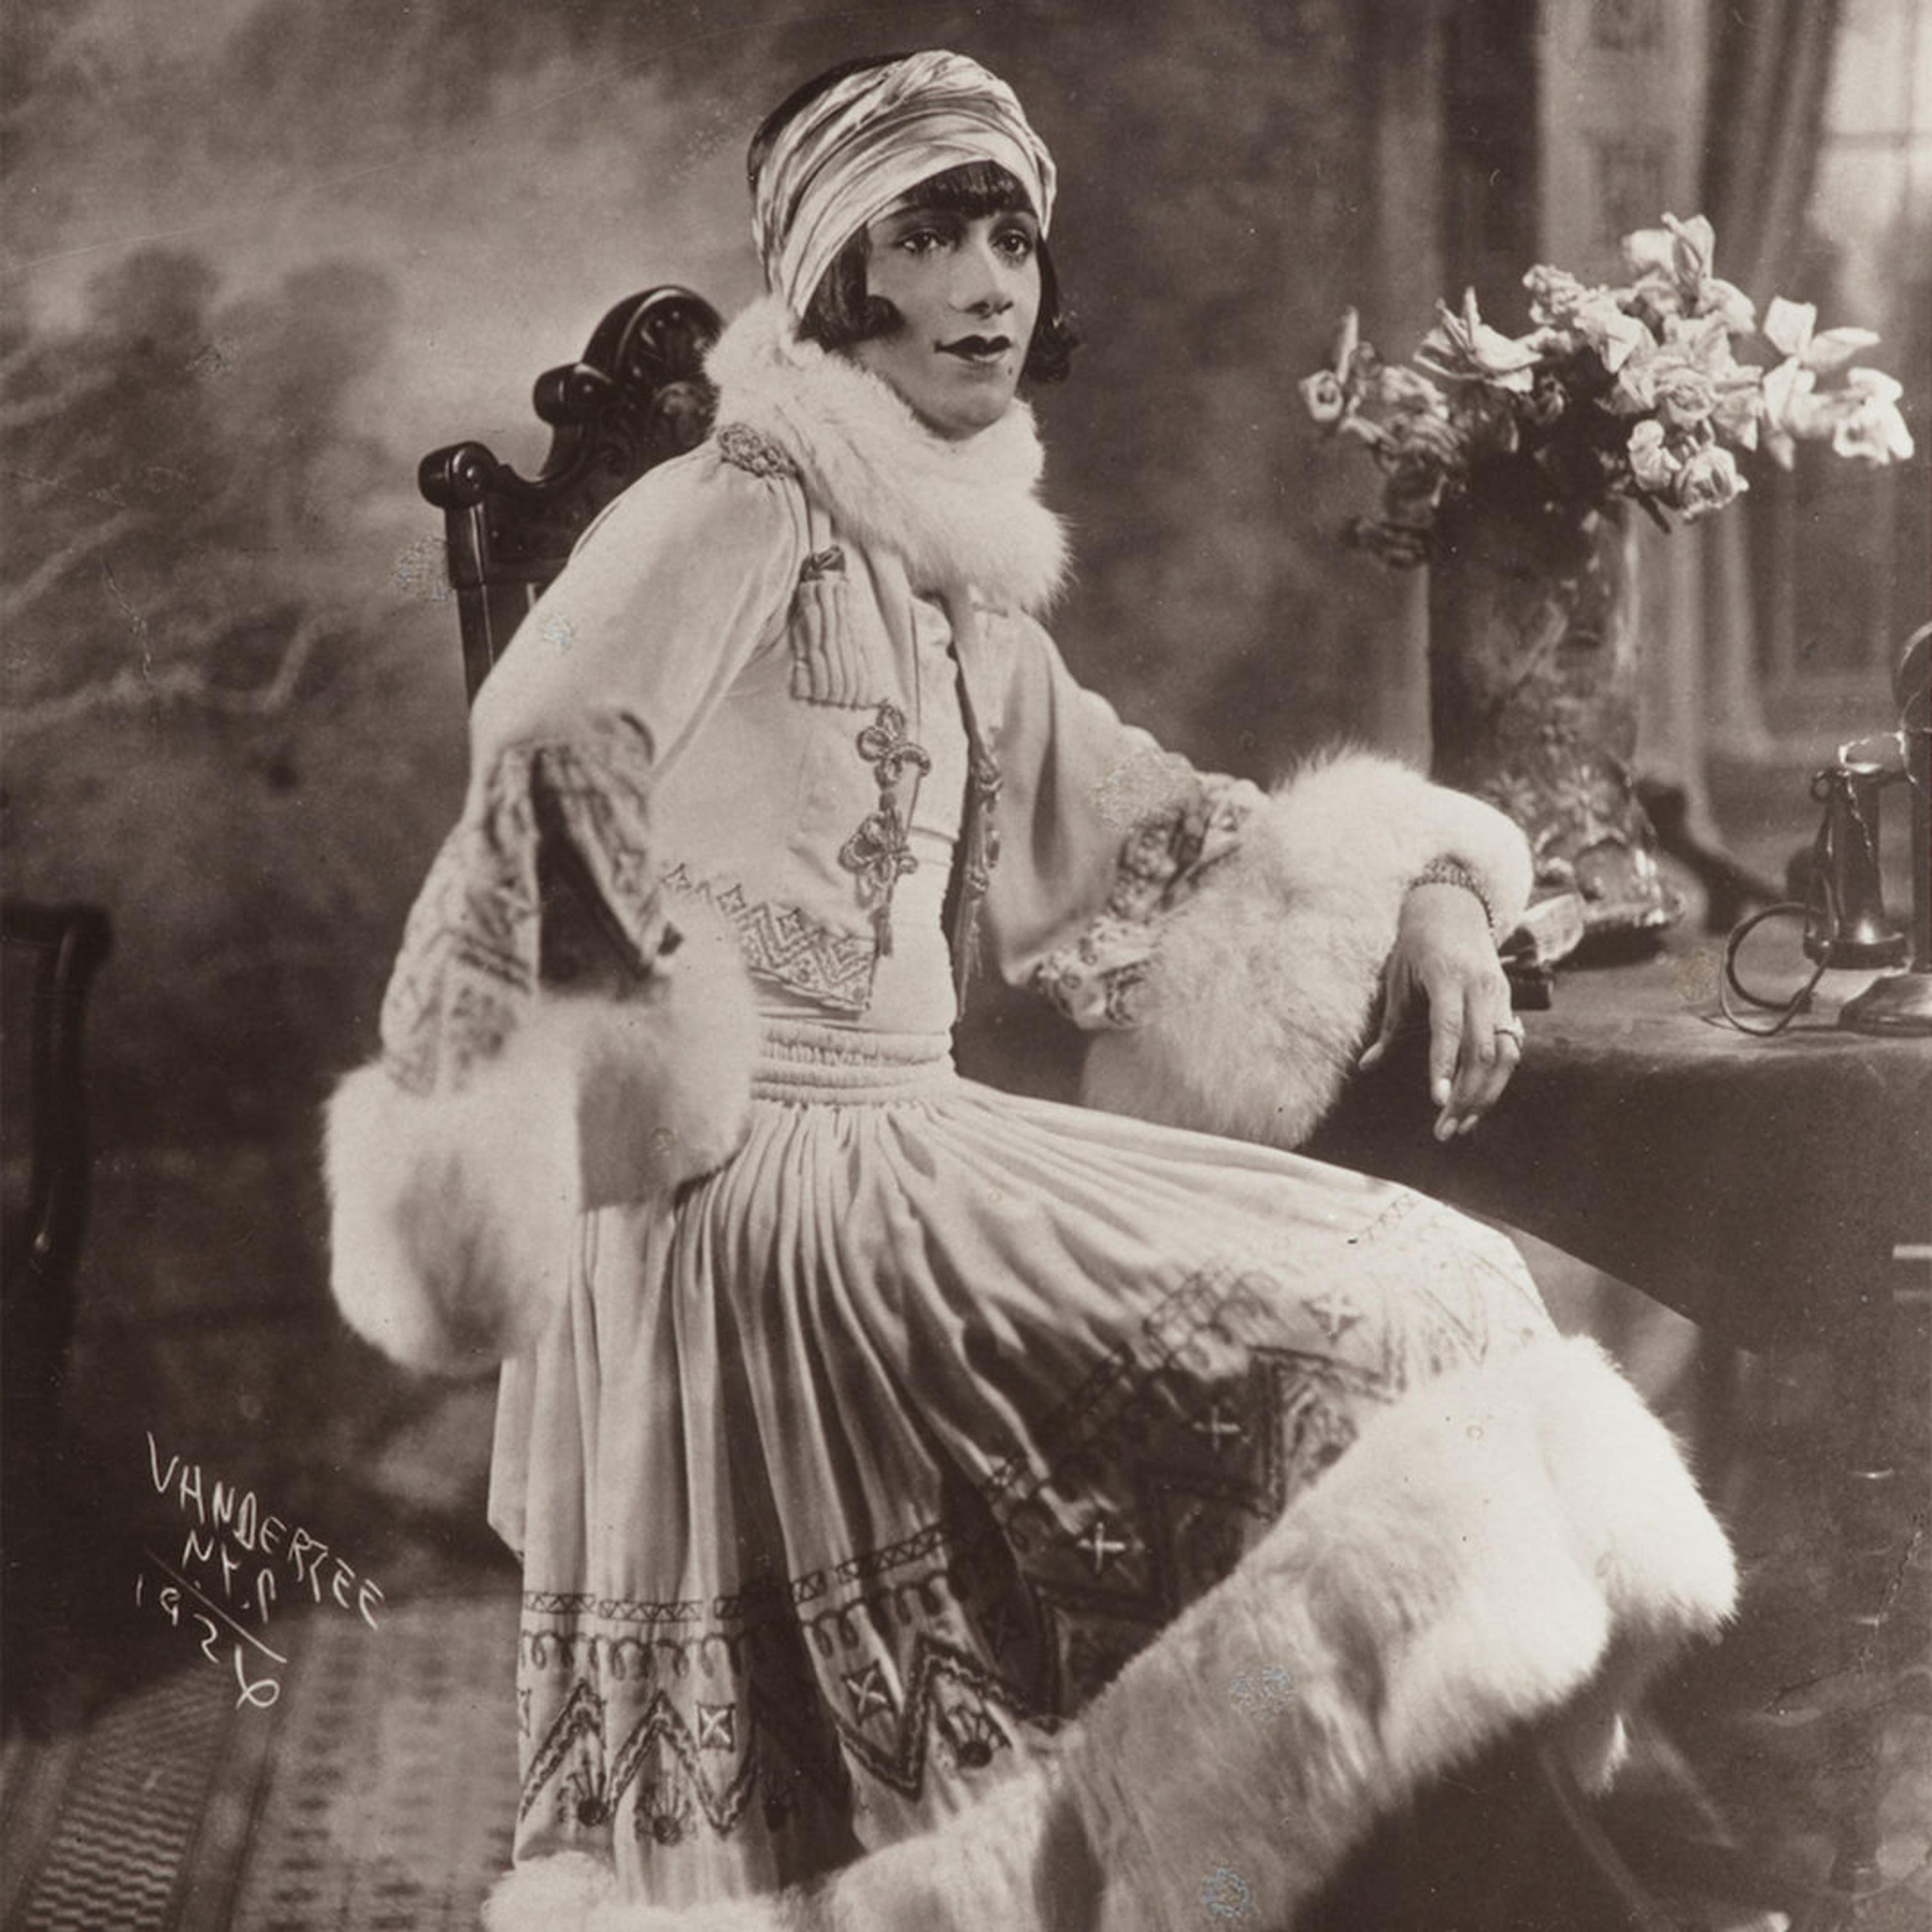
(637, 397)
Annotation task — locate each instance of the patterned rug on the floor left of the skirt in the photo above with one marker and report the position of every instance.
(376, 1794)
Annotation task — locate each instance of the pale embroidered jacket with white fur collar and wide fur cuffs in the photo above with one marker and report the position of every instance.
(1224, 946)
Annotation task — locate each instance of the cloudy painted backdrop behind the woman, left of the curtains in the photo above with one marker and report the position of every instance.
(266, 256)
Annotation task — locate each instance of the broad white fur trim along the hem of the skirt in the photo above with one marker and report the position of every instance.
(1481, 1560)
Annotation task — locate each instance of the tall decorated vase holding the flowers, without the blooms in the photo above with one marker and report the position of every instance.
(1533, 698)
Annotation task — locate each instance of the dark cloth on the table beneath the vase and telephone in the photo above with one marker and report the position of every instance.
(1755, 1185)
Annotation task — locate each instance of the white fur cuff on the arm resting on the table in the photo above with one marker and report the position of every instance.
(1263, 986)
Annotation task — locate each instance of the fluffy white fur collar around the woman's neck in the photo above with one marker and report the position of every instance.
(957, 513)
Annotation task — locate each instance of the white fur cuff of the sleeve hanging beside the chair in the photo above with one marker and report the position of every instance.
(455, 1218)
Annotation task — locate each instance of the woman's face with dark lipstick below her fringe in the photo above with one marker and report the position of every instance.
(967, 289)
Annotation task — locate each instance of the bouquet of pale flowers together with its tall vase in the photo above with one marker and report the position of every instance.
(1510, 465)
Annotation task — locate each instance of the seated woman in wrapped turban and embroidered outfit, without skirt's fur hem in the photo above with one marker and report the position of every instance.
(870, 1419)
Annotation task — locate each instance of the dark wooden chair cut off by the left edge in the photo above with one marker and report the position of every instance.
(51, 955)
